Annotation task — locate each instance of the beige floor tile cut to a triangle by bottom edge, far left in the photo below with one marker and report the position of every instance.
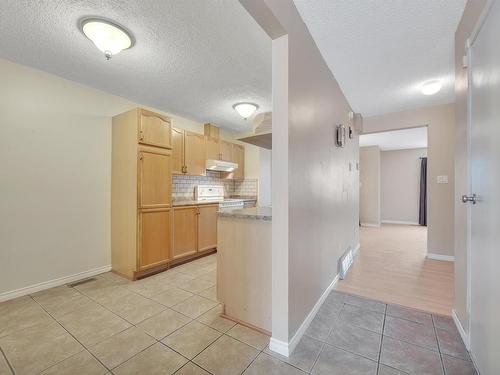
(81, 363)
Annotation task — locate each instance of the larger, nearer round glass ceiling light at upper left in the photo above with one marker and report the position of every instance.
(109, 37)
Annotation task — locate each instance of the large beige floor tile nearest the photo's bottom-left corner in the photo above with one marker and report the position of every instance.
(36, 348)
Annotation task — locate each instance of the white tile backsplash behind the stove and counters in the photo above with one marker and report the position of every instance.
(183, 186)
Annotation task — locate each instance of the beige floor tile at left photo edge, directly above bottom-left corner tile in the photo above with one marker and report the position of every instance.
(20, 314)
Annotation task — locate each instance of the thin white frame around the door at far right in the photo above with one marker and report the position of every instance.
(468, 46)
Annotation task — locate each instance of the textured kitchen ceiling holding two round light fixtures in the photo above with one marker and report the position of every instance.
(195, 58)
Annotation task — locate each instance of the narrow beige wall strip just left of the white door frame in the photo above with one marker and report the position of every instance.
(471, 14)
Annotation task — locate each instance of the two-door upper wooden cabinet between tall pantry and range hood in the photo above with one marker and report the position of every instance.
(188, 156)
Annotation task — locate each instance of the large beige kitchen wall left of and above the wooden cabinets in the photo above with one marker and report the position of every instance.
(56, 176)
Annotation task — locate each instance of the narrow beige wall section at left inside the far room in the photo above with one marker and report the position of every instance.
(369, 185)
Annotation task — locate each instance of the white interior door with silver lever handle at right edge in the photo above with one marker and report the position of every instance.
(484, 91)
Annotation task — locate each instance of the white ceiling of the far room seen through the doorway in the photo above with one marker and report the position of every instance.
(397, 139)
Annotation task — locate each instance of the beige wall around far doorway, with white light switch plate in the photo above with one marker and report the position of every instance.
(441, 153)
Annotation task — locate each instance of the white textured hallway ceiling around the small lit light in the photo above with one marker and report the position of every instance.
(381, 51)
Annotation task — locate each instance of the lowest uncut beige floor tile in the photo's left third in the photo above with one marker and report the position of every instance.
(121, 347)
